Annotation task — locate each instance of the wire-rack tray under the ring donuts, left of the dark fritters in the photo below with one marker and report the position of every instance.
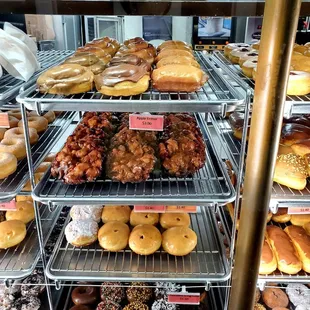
(12, 185)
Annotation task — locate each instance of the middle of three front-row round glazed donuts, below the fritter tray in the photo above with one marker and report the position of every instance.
(145, 239)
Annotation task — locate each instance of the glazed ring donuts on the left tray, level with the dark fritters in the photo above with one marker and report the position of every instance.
(12, 145)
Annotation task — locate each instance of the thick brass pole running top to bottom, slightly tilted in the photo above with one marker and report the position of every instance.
(278, 37)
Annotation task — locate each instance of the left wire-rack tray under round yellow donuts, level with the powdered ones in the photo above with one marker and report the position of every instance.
(19, 261)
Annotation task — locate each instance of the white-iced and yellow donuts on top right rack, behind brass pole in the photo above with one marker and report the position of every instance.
(247, 57)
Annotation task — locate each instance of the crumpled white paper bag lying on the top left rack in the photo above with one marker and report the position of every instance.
(16, 58)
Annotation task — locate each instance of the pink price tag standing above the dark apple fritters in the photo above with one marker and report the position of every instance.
(146, 122)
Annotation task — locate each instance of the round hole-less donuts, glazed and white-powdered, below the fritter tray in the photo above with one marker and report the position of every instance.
(144, 239)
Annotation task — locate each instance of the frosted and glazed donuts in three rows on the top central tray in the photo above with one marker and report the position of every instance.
(128, 73)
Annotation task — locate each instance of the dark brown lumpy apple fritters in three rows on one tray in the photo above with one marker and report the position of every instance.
(104, 140)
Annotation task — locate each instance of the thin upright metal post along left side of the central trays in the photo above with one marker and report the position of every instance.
(36, 205)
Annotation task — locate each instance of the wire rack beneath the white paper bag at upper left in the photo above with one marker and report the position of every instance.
(10, 86)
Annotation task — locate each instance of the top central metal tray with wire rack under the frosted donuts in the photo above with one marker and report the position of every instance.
(215, 96)
